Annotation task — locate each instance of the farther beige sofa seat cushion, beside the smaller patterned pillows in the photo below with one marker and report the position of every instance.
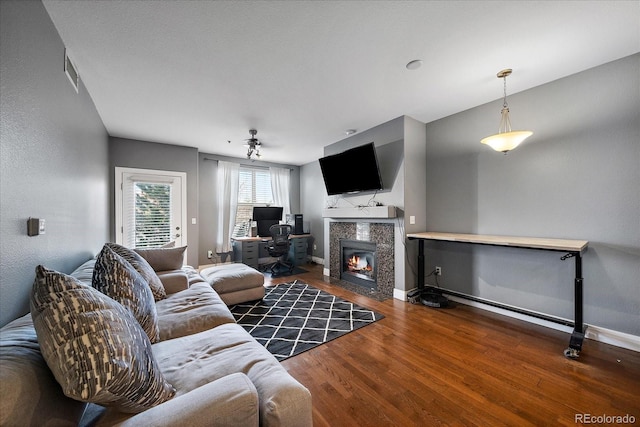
(193, 310)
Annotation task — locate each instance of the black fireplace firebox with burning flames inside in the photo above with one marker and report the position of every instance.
(358, 262)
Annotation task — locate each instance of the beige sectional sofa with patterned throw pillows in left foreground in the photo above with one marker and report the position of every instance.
(211, 371)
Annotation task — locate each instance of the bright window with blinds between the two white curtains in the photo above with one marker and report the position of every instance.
(254, 190)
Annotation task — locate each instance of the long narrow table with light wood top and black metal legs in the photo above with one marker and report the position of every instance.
(572, 248)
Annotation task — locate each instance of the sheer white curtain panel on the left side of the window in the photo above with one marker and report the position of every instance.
(227, 202)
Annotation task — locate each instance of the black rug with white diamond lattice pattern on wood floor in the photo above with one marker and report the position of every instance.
(295, 317)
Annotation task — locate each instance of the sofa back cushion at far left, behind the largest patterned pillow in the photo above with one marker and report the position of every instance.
(30, 393)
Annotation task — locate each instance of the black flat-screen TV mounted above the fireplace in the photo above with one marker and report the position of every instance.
(351, 171)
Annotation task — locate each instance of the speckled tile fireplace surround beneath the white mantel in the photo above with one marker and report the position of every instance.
(382, 234)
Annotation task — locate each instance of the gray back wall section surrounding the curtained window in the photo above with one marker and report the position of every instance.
(208, 169)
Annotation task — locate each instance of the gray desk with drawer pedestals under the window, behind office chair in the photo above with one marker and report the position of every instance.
(249, 250)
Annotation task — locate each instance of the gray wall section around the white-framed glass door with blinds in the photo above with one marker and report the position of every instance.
(130, 153)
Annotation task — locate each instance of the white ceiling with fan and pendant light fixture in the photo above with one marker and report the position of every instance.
(200, 73)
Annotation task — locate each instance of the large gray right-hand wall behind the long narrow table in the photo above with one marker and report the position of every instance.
(577, 177)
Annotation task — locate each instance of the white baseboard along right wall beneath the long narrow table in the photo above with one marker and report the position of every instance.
(596, 333)
